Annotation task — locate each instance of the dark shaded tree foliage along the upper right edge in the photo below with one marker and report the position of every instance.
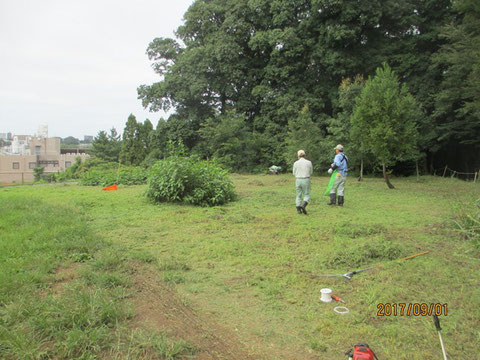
(458, 102)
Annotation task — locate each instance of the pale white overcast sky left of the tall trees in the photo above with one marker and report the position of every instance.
(75, 65)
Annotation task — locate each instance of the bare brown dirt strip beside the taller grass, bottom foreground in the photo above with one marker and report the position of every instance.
(160, 308)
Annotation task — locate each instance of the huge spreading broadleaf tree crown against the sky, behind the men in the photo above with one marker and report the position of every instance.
(267, 59)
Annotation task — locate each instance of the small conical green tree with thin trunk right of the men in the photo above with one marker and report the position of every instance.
(384, 120)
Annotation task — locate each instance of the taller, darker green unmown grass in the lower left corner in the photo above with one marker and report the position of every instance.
(85, 318)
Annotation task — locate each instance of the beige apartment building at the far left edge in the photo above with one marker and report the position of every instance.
(34, 152)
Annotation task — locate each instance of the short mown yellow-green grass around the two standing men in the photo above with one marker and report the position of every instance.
(250, 262)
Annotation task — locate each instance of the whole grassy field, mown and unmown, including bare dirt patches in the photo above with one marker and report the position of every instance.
(91, 274)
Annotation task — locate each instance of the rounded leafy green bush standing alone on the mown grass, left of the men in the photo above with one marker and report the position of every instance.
(189, 180)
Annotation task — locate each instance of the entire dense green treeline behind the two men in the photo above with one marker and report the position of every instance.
(252, 81)
